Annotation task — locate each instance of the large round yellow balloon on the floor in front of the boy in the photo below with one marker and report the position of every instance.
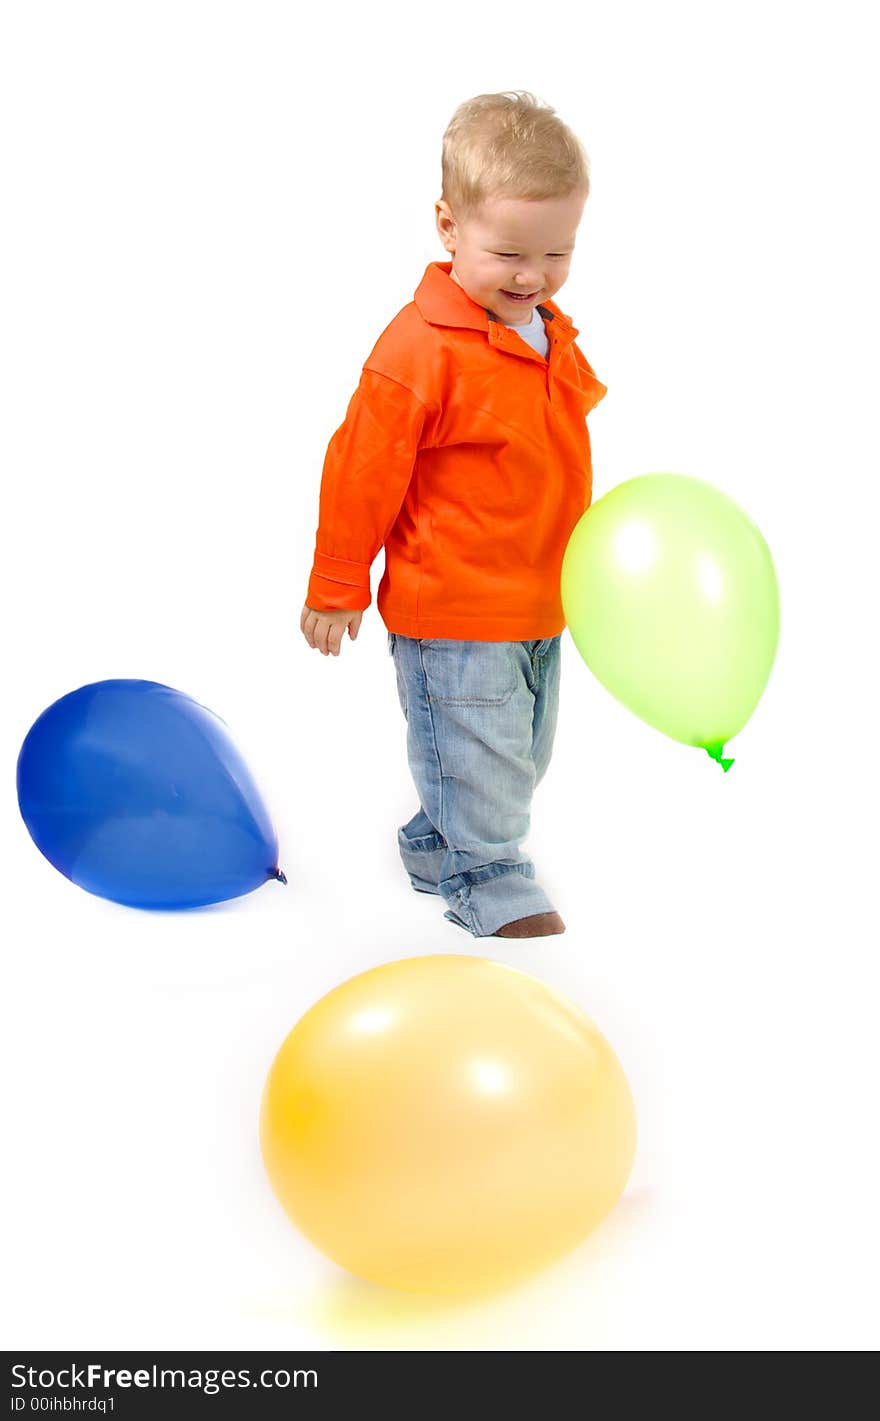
(447, 1125)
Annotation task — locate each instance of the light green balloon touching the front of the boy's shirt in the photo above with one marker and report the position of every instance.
(672, 599)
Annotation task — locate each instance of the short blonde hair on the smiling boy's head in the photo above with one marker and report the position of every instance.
(510, 146)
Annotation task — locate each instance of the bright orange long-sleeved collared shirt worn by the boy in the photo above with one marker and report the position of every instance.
(467, 455)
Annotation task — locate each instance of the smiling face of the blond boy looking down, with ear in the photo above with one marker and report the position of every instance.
(514, 245)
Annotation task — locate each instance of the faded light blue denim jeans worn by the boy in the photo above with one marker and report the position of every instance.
(481, 718)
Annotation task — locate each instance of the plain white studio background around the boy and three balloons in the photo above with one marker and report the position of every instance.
(211, 211)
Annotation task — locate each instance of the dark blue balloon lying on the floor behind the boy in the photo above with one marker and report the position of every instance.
(137, 794)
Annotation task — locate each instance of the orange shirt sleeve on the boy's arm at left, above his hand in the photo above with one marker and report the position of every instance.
(367, 470)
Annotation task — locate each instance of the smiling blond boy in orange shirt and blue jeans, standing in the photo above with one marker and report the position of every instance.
(466, 453)
